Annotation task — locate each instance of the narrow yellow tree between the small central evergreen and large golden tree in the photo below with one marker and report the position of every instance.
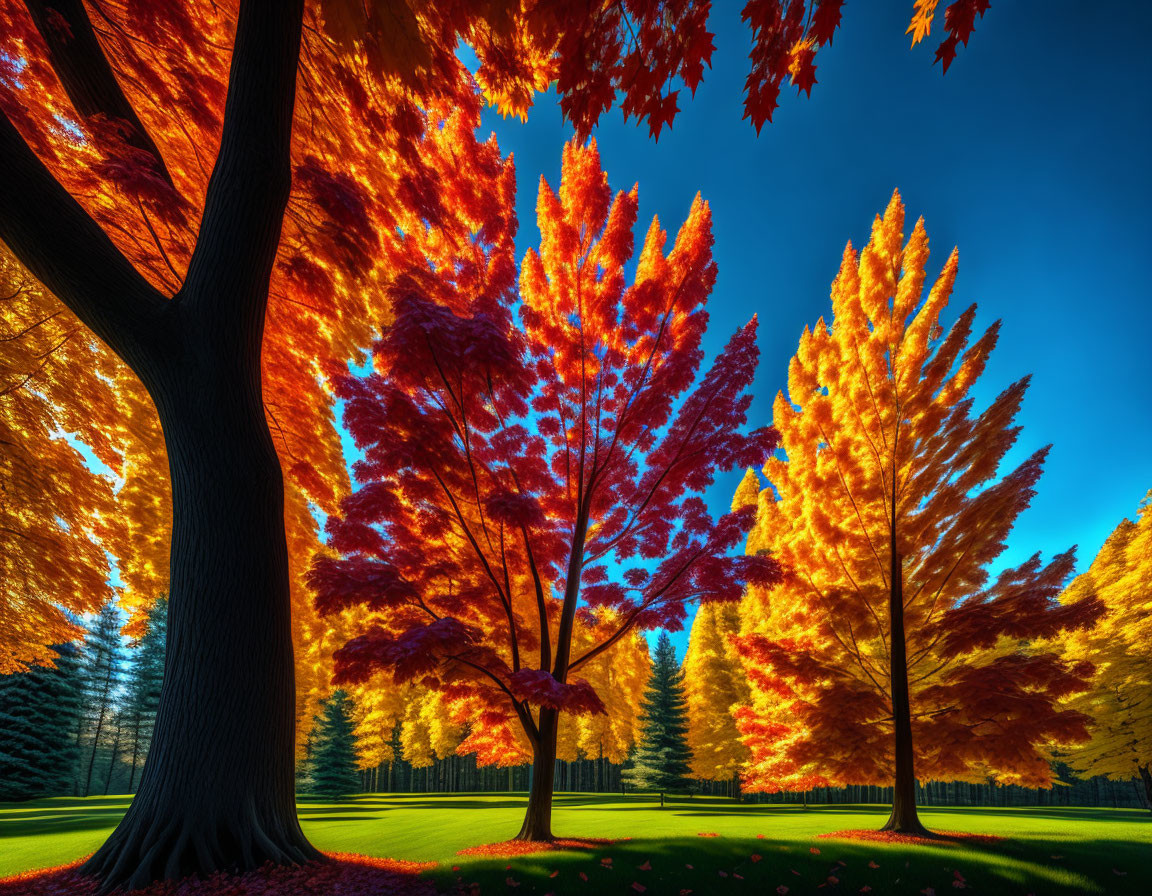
(715, 680)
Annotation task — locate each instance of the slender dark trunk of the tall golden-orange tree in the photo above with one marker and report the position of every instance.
(904, 818)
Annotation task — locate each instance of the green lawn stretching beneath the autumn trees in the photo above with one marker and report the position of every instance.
(1047, 852)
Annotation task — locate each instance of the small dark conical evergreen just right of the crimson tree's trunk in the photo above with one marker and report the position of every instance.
(662, 762)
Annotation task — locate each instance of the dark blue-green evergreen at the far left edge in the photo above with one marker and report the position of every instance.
(40, 713)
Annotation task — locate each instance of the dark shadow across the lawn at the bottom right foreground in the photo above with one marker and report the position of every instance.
(740, 865)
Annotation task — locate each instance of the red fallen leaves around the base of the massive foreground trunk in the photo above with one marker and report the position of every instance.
(345, 874)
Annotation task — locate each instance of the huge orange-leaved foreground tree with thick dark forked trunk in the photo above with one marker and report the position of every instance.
(147, 193)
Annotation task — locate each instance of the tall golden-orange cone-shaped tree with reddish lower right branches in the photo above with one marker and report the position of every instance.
(889, 651)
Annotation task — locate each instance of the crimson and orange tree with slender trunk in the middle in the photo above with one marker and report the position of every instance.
(525, 480)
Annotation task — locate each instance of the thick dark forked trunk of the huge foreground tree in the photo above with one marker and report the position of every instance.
(217, 792)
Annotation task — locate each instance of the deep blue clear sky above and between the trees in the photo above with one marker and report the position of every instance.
(1032, 156)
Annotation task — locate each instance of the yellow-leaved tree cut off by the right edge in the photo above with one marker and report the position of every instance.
(1120, 646)
